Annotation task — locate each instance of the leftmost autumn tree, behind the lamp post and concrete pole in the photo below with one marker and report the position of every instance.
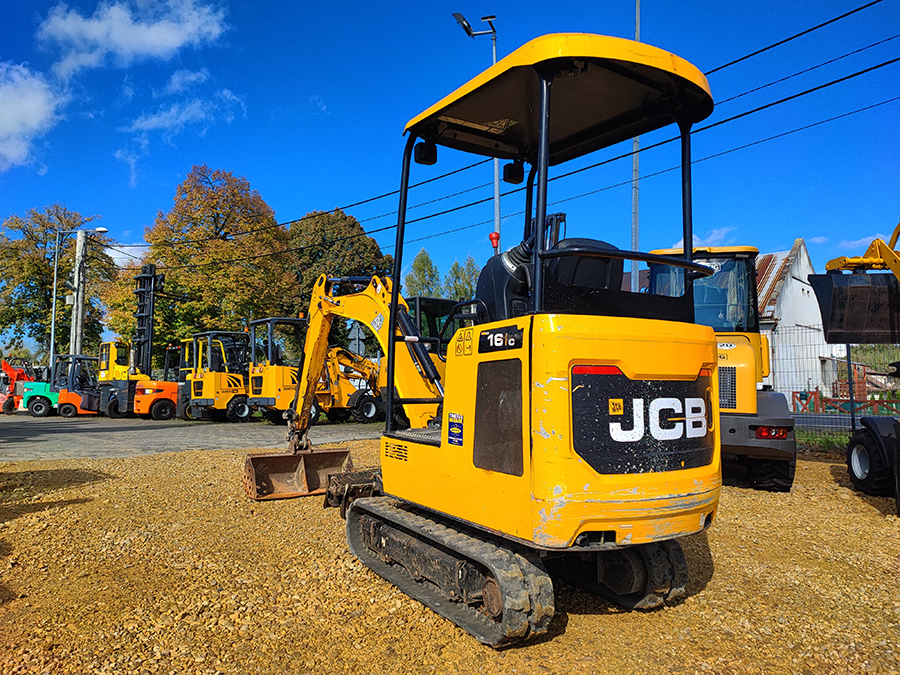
(27, 247)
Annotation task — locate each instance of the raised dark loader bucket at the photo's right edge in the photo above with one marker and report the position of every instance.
(858, 308)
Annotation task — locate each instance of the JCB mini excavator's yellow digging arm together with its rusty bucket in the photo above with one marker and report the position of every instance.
(303, 470)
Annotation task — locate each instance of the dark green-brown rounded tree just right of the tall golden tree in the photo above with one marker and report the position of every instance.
(335, 244)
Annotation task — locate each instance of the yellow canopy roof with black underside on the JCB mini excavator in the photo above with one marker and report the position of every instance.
(605, 90)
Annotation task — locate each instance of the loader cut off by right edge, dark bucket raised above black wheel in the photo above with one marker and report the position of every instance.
(859, 299)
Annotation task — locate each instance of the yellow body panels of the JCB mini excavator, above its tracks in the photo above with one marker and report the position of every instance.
(547, 494)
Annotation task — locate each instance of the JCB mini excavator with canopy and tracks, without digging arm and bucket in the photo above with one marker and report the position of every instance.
(572, 433)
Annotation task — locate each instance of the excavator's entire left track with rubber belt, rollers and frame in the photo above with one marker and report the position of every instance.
(499, 595)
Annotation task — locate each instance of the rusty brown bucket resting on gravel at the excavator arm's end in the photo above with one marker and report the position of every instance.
(284, 475)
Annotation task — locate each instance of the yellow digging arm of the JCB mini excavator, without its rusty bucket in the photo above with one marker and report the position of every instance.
(415, 378)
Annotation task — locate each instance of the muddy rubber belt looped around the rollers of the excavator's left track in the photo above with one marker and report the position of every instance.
(525, 586)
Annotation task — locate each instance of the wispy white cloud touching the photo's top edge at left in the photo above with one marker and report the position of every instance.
(122, 34)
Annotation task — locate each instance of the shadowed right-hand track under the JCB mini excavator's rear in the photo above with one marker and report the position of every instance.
(645, 576)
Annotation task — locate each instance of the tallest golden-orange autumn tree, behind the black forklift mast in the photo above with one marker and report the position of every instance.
(224, 258)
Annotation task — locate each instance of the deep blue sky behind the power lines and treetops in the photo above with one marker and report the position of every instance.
(106, 106)
